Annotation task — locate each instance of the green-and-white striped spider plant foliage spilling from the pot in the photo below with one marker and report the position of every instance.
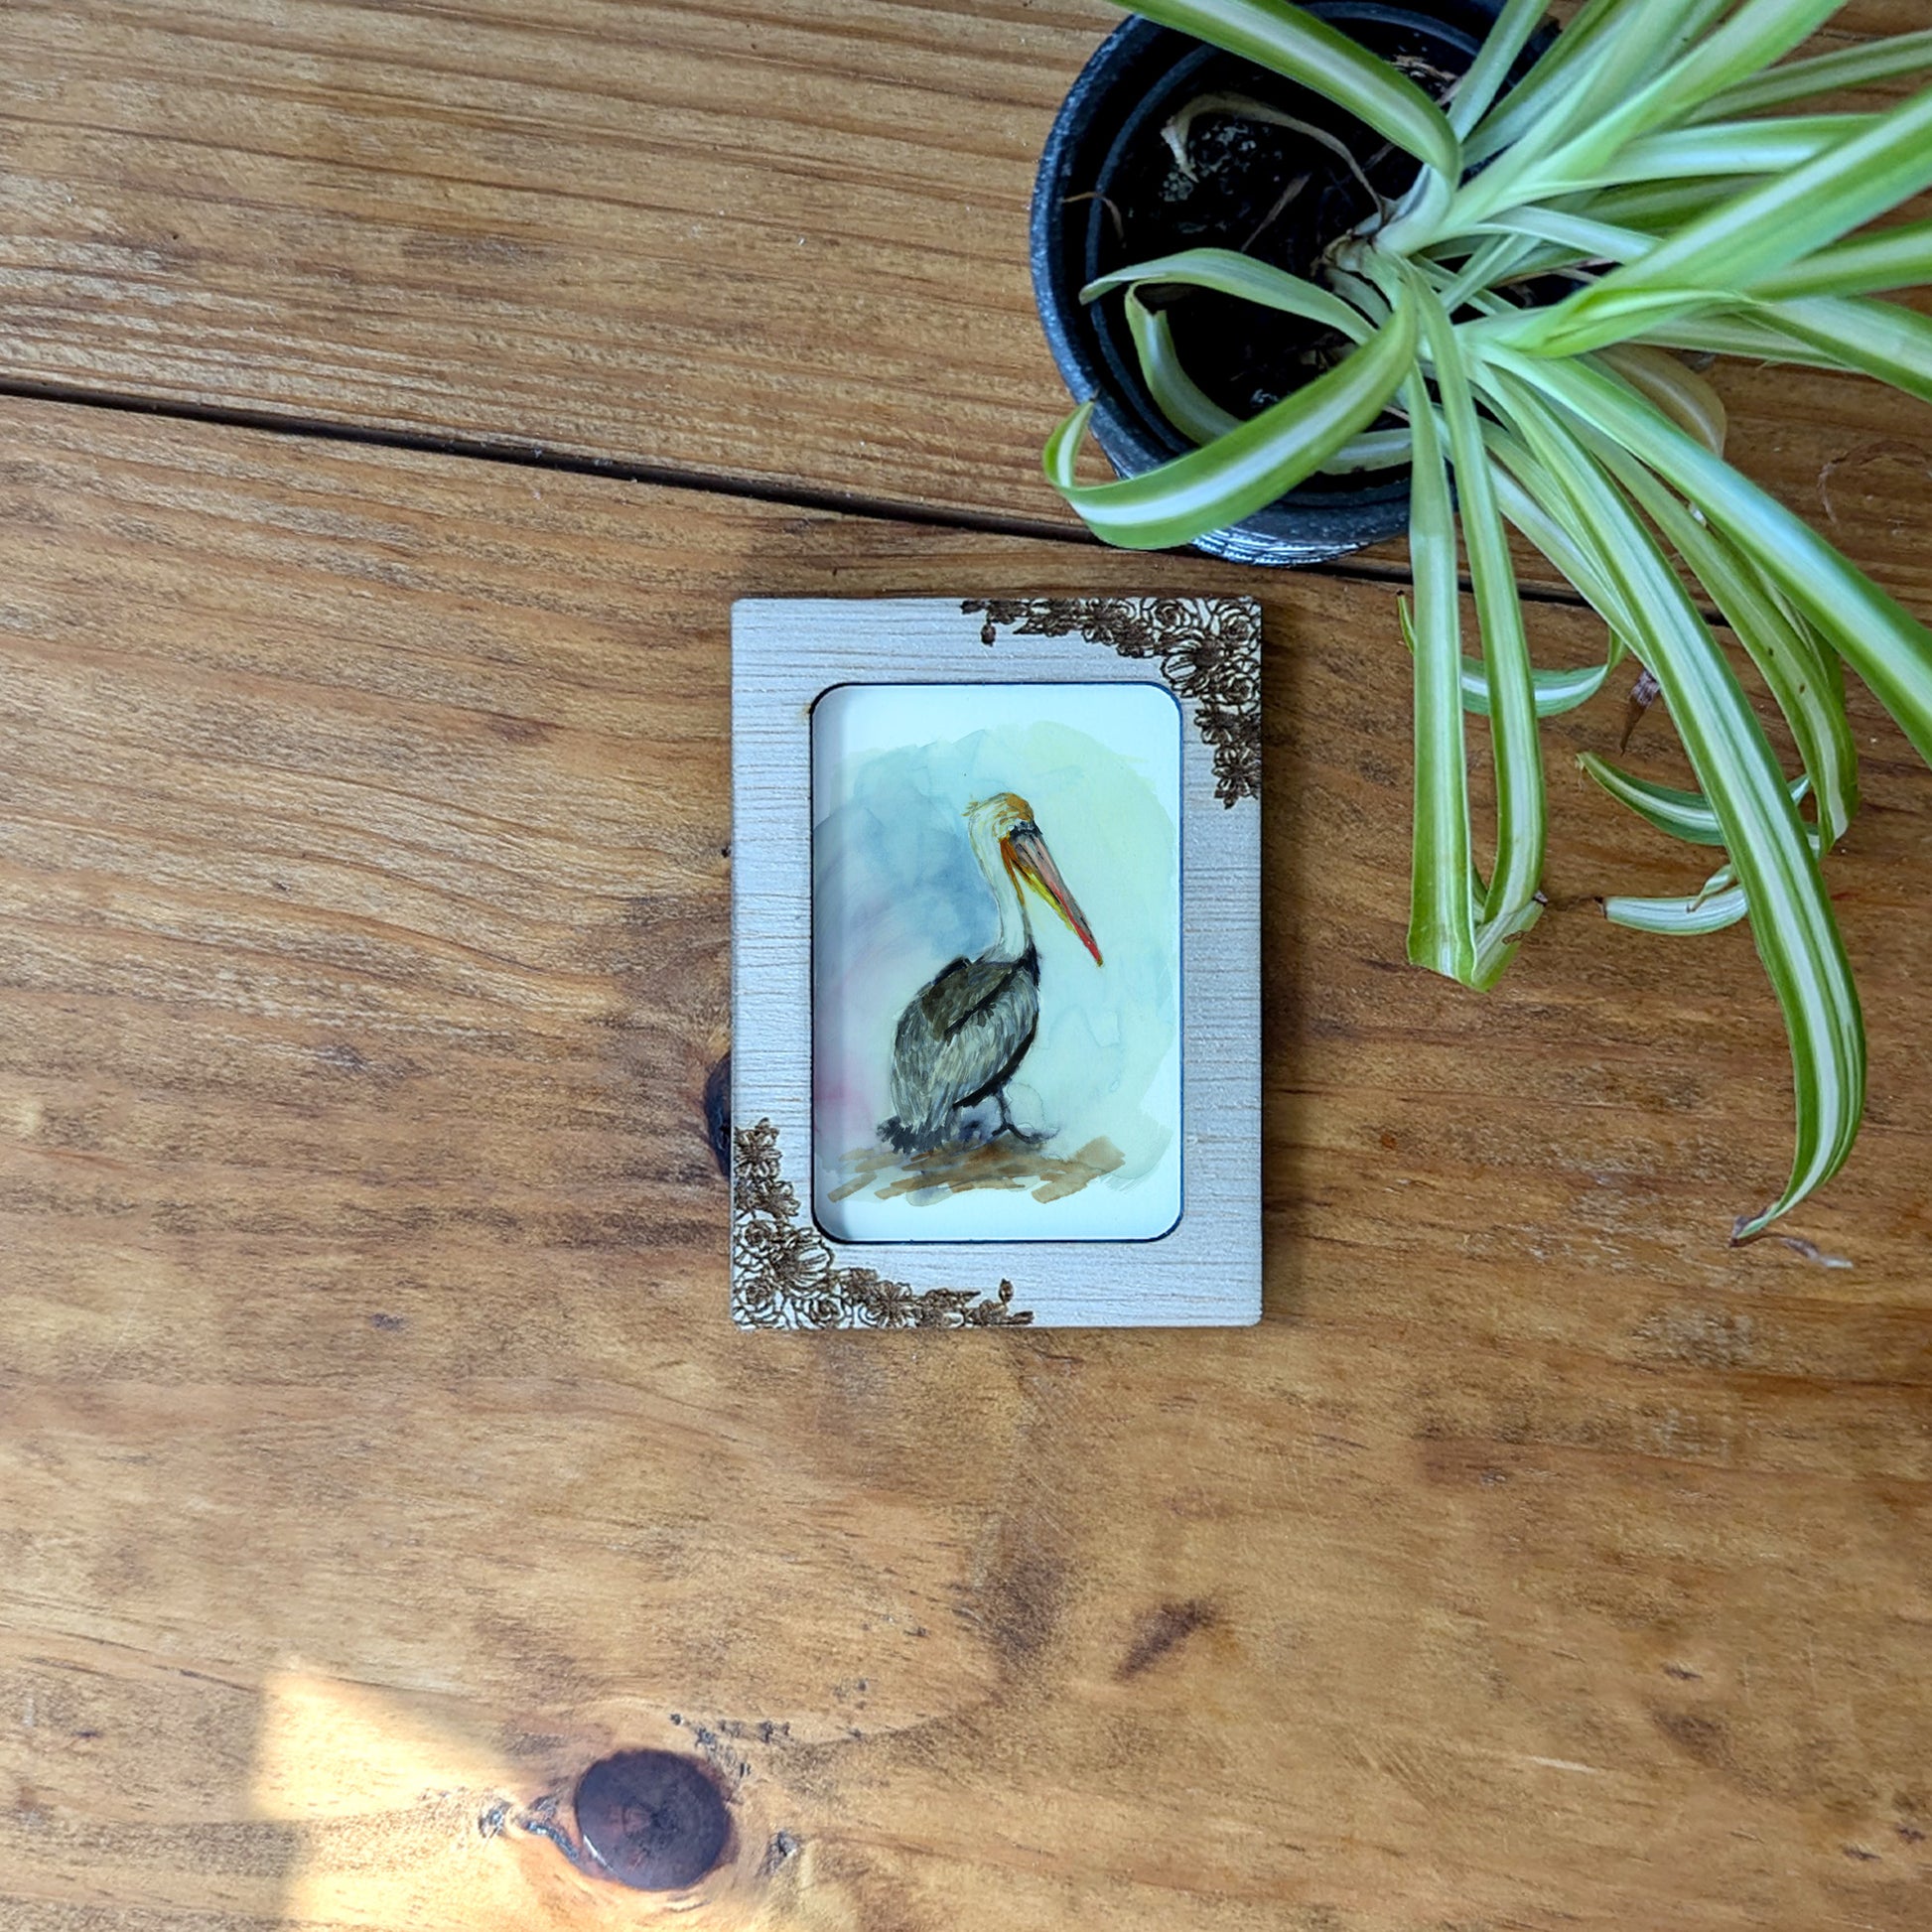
(1643, 169)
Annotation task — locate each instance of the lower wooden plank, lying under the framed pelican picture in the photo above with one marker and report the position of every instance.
(376, 1448)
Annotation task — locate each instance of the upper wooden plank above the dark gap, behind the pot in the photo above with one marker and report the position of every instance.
(780, 248)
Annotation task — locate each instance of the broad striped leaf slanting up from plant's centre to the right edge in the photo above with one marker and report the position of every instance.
(1761, 229)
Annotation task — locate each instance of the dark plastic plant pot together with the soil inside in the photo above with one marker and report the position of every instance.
(1168, 142)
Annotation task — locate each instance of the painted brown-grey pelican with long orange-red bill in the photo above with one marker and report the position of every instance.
(967, 1031)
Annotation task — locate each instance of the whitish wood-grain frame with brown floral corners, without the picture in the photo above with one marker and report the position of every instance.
(785, 1270)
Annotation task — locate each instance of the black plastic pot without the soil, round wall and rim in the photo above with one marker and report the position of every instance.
(1122, 99)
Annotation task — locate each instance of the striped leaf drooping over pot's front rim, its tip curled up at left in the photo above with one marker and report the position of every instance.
(1247, 469)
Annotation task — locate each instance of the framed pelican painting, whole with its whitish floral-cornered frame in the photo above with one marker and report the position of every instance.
(996, 963)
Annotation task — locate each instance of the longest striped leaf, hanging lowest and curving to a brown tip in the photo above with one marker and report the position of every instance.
(1790, 911)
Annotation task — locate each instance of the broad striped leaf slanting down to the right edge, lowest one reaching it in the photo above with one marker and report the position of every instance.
(1887, 646)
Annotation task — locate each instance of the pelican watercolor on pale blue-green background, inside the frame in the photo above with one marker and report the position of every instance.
(996, 963)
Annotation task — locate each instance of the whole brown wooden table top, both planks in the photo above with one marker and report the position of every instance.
(395, 399)
